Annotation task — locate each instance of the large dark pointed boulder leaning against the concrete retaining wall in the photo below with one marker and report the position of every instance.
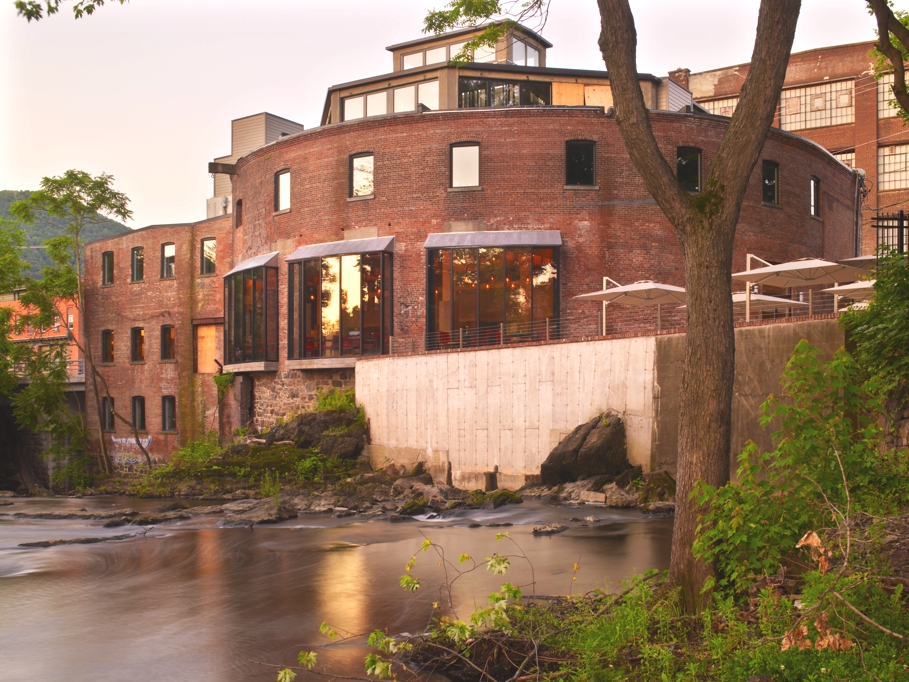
(595, 449)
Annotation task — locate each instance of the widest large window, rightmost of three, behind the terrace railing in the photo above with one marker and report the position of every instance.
(478, 294)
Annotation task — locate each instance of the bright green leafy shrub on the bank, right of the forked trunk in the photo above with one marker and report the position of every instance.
(828, 435)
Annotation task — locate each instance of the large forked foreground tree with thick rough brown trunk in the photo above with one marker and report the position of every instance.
(705, 225)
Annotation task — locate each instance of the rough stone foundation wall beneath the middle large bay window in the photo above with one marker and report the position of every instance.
(275, 396)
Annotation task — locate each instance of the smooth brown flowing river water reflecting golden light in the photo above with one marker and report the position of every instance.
(192, 601)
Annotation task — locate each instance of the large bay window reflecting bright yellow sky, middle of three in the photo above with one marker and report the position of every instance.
(339, 306)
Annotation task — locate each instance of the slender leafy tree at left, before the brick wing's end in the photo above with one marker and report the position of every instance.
(81, 200)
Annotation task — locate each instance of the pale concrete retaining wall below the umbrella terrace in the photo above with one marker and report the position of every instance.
(466, 413)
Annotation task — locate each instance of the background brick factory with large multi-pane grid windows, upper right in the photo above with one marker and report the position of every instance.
(831, 97)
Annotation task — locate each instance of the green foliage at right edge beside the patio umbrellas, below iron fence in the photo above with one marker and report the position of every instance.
(881, 332)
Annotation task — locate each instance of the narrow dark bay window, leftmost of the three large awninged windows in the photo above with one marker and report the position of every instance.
(251, 319)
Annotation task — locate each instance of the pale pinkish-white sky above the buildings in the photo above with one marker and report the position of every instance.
(146, 91)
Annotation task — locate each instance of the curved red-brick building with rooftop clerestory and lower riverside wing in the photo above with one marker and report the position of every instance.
(469, 212)
